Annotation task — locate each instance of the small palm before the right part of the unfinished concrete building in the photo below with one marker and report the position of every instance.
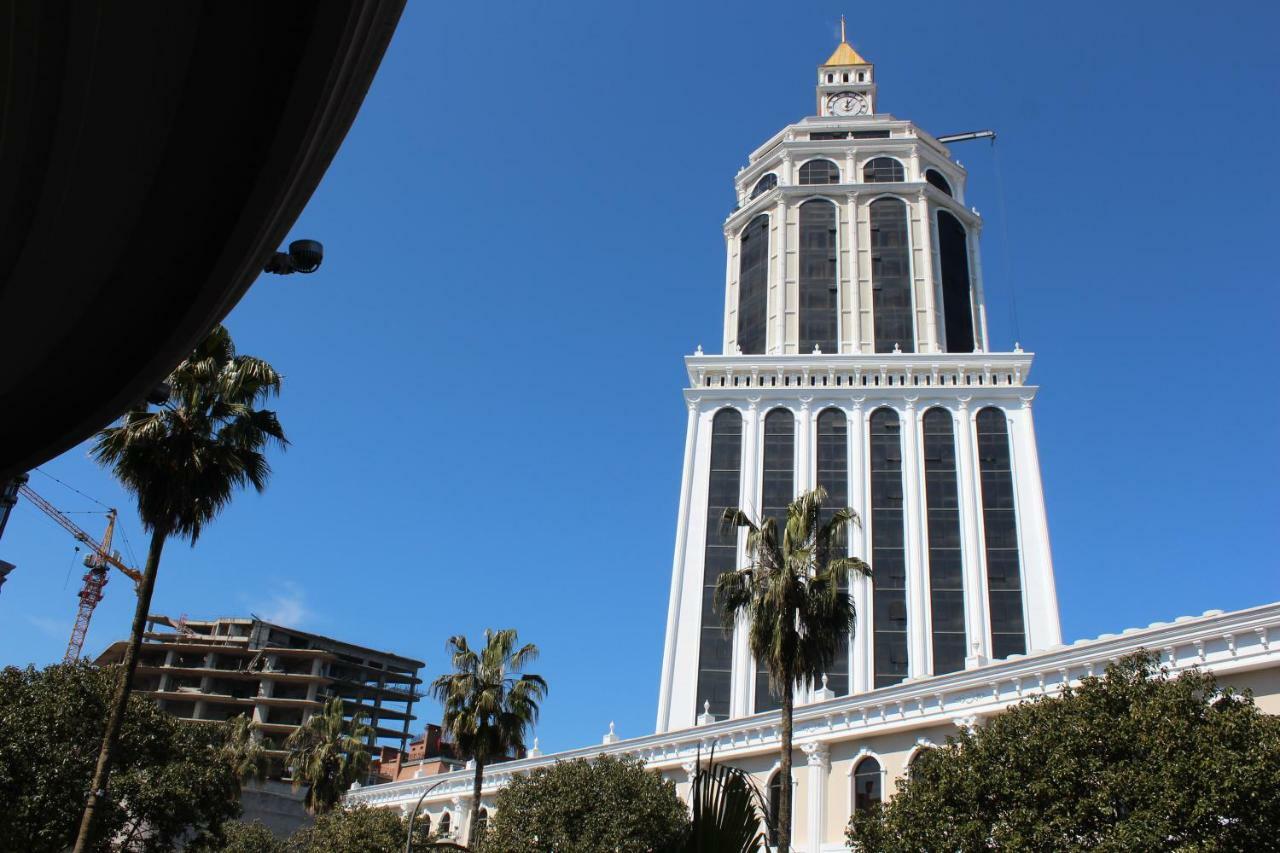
(328, 754)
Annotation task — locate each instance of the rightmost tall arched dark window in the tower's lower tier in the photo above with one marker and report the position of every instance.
(1000, 531)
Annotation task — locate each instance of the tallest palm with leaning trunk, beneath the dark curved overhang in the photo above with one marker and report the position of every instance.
(184, 463)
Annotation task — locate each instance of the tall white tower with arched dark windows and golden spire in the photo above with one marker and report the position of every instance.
(857, 358)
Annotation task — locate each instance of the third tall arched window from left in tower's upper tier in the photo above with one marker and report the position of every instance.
(892, 276)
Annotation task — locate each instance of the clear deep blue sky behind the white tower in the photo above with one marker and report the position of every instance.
(523, 239)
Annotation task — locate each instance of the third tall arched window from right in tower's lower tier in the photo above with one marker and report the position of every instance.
(889, 556)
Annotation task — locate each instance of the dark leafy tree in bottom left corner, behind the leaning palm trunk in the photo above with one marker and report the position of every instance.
(164, 784)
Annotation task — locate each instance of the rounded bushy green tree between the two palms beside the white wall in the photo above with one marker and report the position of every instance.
(582, 806)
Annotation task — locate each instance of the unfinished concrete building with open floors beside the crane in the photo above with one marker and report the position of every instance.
(278, 677)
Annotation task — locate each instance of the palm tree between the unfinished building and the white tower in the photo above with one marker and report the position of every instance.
(487, 709)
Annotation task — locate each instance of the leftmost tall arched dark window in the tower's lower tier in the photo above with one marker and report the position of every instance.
(716, 647)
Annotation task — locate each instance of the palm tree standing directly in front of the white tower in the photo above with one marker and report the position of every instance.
(794, 599)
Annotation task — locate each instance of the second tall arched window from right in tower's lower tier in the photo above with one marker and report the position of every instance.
(947, 572)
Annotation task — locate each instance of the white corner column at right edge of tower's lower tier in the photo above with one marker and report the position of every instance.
(1040, 594)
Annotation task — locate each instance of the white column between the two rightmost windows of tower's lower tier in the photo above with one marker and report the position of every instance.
(977, 650)
